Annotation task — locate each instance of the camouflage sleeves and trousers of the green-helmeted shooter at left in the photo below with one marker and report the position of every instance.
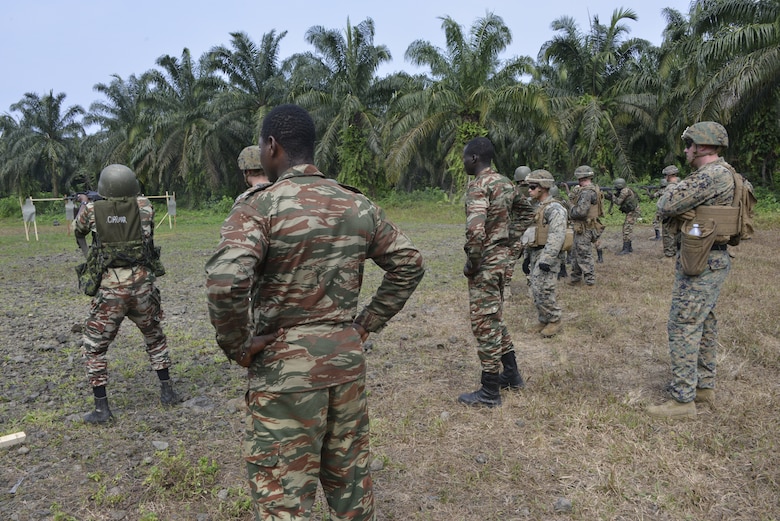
(124, 292)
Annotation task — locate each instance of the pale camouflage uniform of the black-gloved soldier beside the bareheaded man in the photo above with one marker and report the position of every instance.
(543, 283)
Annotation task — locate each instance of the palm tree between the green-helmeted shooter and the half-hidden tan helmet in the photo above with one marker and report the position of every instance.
(183, 147)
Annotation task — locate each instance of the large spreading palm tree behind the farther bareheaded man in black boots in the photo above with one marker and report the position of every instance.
(468, 92)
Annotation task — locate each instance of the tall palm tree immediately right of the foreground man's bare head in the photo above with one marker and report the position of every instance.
(344, 100)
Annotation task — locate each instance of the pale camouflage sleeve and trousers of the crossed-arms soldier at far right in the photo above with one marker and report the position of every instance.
(692, 325)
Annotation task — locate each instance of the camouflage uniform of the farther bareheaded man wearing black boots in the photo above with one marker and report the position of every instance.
(489, 199)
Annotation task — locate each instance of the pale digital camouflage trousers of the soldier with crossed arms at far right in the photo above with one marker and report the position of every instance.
(693, 328)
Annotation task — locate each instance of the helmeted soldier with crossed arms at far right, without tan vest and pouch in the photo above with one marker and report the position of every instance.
(692, 325)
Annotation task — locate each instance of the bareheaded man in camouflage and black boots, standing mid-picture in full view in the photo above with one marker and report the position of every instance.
(489, 199)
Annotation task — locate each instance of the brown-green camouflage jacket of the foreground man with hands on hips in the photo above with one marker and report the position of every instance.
(292, 256)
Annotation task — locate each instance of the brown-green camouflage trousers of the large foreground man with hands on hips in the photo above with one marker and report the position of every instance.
(294, 440)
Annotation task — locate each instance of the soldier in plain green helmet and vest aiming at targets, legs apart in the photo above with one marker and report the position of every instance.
(127, 285)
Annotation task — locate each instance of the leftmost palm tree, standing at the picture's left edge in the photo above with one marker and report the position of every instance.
(43, 149)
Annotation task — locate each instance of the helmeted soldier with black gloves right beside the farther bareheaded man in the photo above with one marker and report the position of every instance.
(543, 255)
